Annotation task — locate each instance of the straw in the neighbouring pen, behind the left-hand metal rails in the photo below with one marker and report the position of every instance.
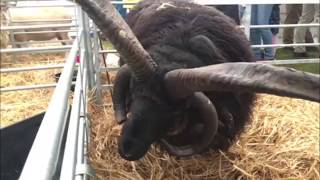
(18, 105)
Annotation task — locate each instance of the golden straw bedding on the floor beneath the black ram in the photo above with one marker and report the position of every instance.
(281, 142)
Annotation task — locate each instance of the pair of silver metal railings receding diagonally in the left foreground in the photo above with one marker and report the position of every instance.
(74, 163)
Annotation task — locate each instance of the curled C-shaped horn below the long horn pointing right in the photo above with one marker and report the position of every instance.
(208, 113)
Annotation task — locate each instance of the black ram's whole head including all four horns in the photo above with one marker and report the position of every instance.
(168, 102)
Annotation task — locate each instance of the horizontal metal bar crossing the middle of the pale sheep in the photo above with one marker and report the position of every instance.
(8, 28)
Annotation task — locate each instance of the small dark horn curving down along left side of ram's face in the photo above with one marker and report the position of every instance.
(120, 88)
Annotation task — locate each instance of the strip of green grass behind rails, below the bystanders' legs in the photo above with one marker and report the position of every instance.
(288, 54)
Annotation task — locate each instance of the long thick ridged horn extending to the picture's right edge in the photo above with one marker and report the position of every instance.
(244, 77)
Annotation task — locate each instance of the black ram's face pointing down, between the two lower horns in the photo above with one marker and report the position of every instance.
(146, 123)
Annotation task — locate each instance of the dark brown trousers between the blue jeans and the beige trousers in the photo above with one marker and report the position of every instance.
(293, 15)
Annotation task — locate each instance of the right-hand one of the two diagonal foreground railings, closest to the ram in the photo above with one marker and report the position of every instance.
(73, 163)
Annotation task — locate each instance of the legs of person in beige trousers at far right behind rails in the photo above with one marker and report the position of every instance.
(310, 13)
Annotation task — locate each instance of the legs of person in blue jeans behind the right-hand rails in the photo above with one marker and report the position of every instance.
(260, 15)
